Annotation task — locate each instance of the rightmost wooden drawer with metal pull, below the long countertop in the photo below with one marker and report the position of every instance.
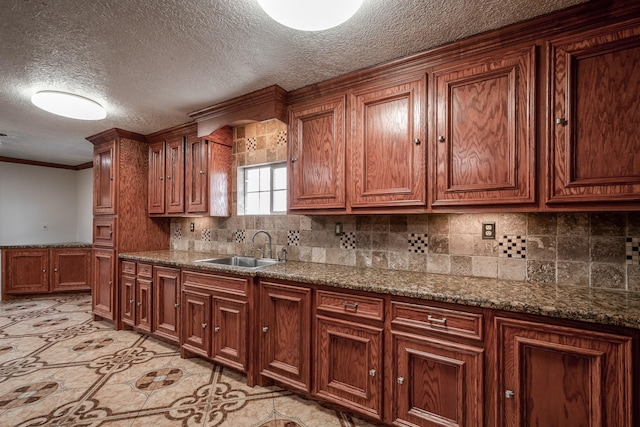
(425, 318)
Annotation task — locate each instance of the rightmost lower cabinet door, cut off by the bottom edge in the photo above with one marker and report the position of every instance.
(558, 376)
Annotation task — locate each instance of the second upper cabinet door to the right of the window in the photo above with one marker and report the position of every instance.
(388, 146)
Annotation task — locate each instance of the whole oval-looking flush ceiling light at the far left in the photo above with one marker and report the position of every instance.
(68, 105)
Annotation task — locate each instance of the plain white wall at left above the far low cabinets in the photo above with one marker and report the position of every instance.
(33, 196)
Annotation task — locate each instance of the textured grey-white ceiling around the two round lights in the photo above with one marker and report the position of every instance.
(150, 63)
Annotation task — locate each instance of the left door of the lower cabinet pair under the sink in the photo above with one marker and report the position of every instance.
(196, 322)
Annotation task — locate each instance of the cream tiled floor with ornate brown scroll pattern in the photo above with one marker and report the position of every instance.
(58, 367)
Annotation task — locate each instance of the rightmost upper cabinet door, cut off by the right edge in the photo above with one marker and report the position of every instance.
(595, 143)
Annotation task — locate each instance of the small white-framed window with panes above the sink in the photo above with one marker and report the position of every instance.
(265, 189)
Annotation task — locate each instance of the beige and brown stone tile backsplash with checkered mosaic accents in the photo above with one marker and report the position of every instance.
(599, 250)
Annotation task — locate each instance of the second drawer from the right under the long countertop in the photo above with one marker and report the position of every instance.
(352, 305)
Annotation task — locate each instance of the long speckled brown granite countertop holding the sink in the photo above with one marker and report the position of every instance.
(609, 307)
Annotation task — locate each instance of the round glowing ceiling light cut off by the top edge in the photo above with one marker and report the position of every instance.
(310, 15)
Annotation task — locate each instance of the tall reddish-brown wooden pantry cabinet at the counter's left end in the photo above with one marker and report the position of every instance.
(120, 218)
